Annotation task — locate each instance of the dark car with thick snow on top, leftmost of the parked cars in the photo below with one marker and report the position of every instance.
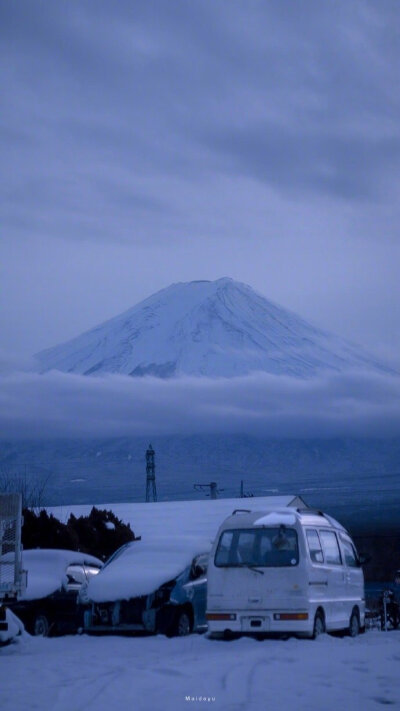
(50, 603)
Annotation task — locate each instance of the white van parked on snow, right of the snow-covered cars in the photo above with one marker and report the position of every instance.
(284, 571)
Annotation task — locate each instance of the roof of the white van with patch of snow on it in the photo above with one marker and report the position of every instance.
(280, 516)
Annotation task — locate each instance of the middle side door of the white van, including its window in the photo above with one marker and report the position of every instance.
(336, 580)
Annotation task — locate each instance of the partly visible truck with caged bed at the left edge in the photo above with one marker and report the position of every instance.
(12, 577)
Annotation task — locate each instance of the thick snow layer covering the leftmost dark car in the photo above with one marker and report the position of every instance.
(46, 570)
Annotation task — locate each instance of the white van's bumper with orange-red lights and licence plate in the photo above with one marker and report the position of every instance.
(260, 622)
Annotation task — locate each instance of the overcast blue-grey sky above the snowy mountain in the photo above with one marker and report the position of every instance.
(150, 142)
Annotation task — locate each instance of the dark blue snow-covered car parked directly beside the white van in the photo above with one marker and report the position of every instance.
(142, 590)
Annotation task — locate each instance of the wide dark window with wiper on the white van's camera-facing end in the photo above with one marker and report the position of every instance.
(261, 547)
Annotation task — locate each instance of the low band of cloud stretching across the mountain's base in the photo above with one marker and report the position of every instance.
(356, 404)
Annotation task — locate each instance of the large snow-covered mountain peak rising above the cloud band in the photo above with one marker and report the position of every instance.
(206, 328)
